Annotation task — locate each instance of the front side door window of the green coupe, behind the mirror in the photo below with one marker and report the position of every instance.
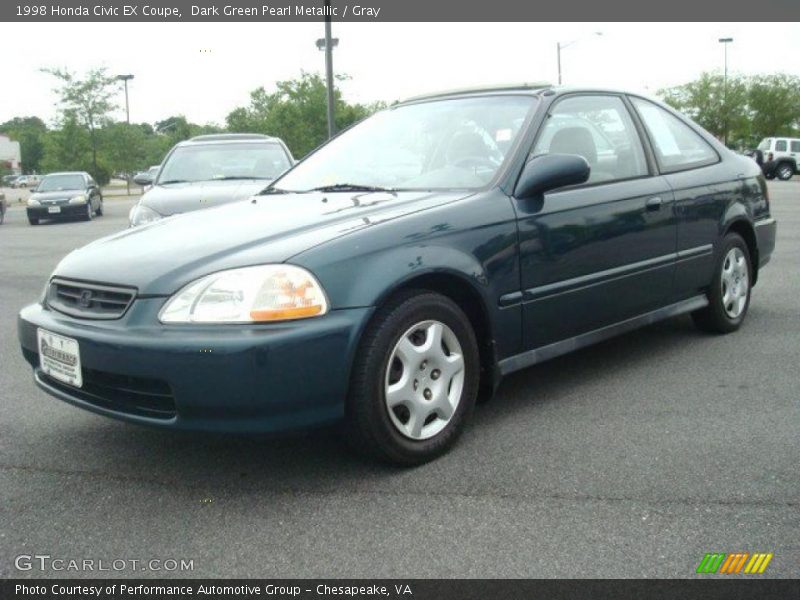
(600, 129)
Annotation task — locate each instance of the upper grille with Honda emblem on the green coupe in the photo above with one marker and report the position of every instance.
(89, 300)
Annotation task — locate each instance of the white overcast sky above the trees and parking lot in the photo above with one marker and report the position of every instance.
(204, 70)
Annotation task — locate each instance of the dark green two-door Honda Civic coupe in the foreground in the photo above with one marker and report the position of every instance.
(394, 275)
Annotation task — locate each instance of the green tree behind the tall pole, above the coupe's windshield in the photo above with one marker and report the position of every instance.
(296, 112)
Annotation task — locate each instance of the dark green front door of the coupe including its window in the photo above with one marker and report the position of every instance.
(599, 253)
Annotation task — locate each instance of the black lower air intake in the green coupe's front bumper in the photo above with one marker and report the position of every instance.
(121, 393)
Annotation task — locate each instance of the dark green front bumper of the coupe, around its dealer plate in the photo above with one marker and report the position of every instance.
(237, 378)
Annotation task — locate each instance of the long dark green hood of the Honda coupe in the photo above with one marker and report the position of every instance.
(163, 256)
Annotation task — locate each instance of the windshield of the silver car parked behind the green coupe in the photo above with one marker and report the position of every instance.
(224, 161)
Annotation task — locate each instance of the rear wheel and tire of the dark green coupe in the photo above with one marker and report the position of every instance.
(730, 290)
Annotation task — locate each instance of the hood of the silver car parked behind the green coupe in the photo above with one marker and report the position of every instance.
(184, 197)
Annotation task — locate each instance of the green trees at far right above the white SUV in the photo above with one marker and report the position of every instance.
(747, 109)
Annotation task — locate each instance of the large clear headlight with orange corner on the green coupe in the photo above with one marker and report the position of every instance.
(248, 295)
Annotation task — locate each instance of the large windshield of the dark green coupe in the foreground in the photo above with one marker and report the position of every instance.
(456, 143)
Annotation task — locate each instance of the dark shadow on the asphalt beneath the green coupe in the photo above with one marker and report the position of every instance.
(318, 461)
